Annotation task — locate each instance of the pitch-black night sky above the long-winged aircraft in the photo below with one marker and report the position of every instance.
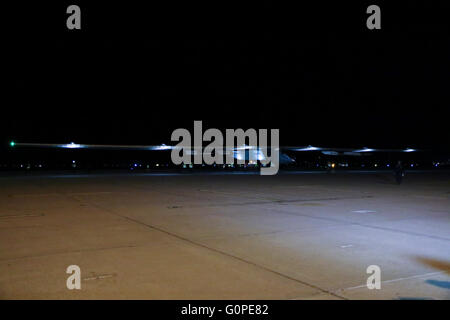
(134, 73)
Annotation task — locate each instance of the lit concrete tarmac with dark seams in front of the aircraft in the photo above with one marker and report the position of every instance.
(290, 236)
